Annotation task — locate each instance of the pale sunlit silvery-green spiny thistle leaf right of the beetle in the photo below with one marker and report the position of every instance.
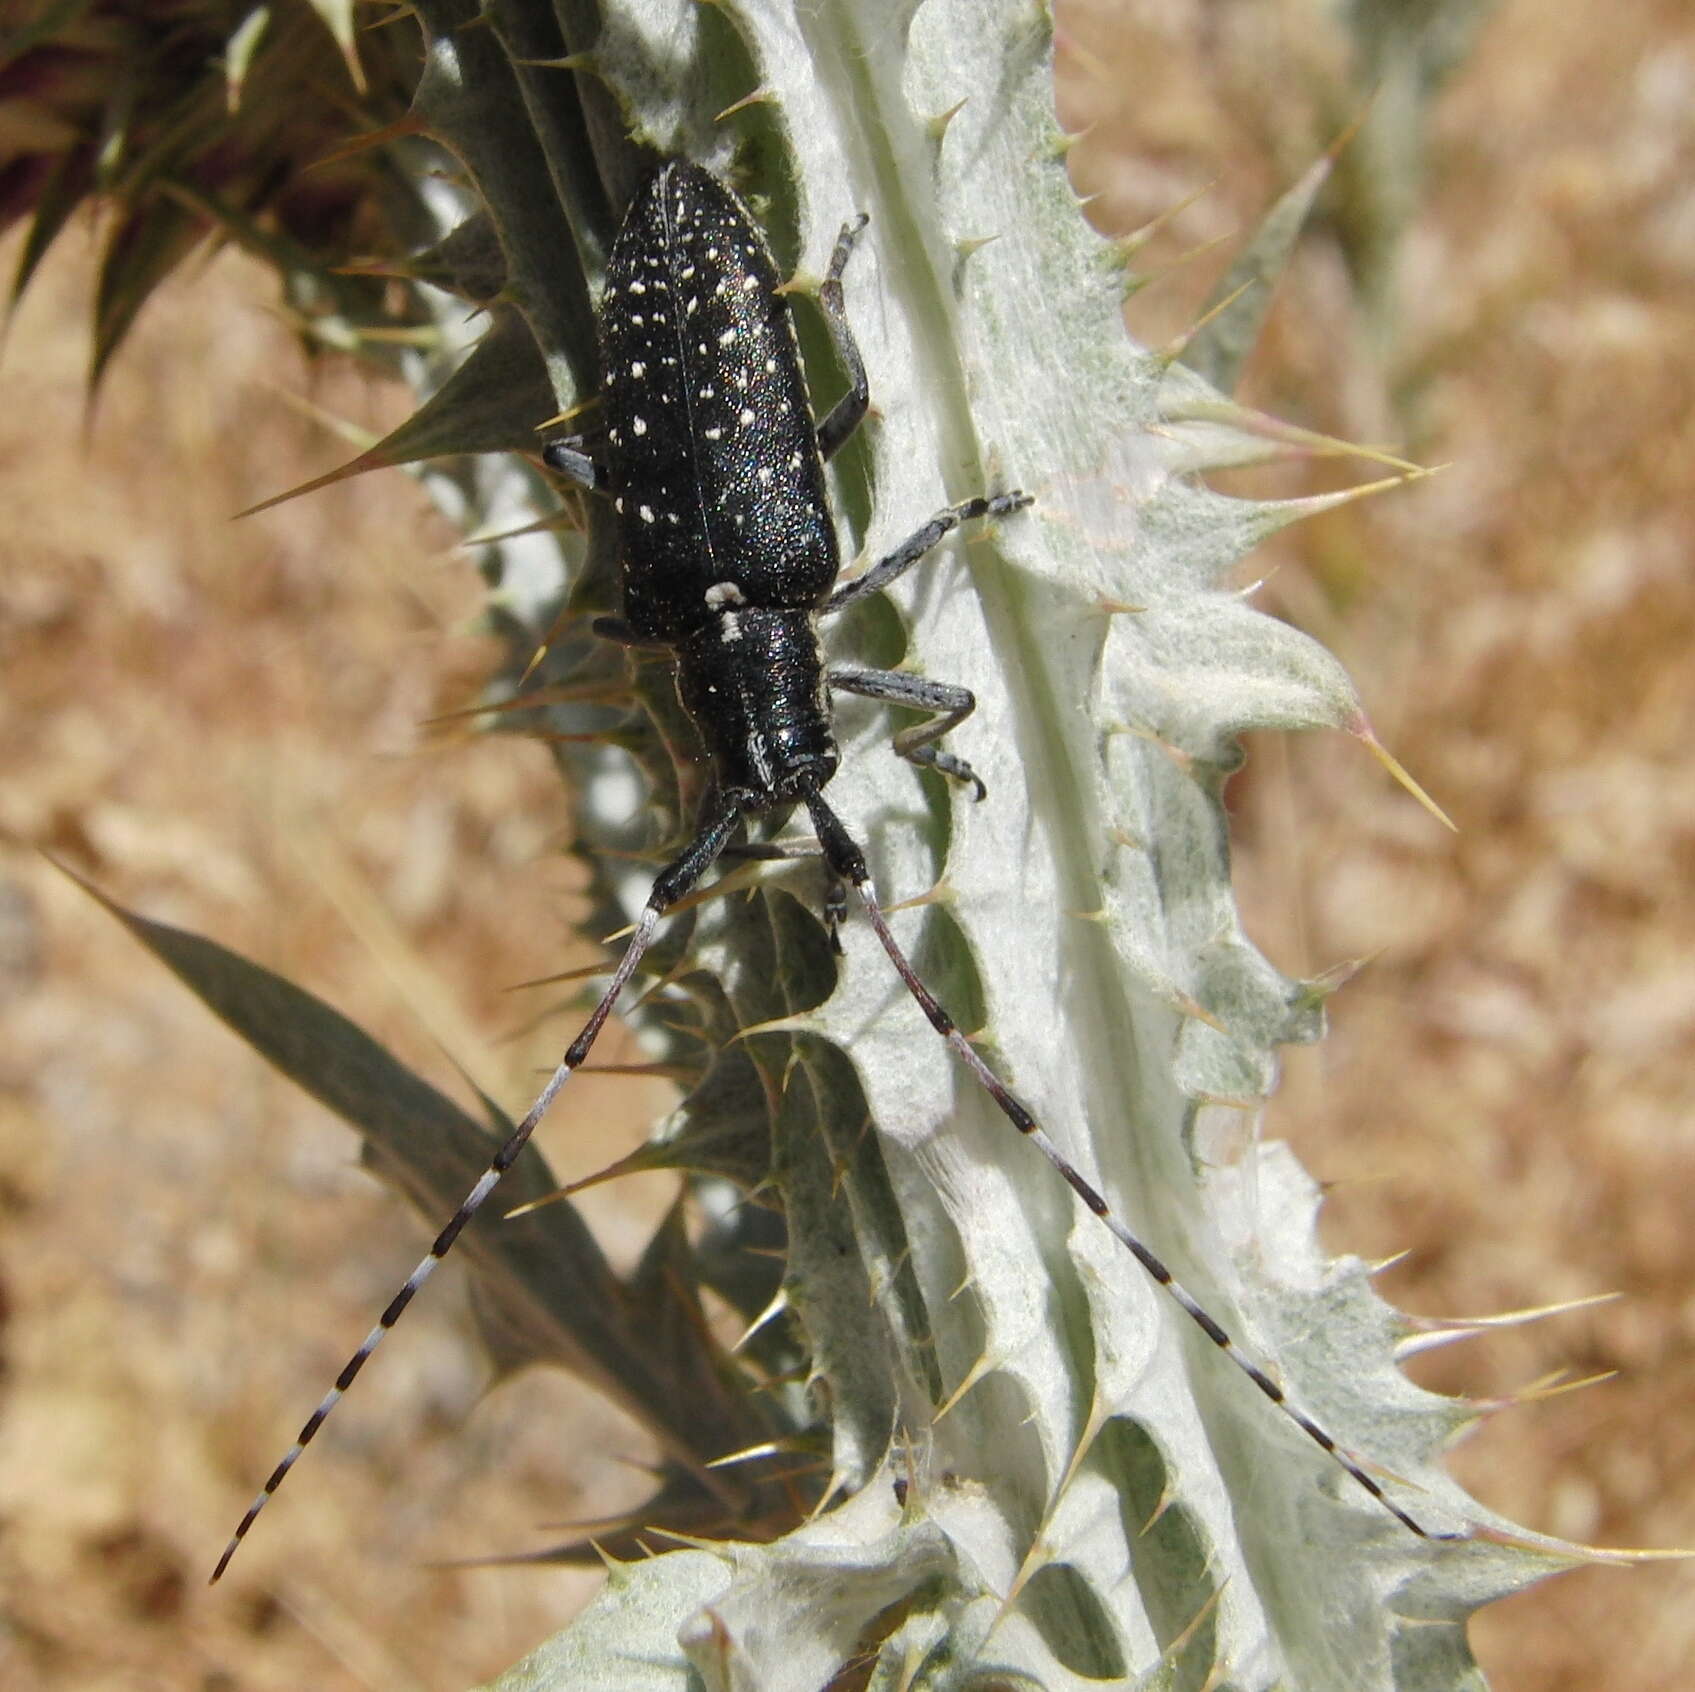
(984, 1342)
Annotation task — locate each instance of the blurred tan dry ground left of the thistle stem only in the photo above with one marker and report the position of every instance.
(221, 723)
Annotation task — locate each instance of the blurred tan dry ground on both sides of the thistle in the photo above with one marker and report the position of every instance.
(230, 728)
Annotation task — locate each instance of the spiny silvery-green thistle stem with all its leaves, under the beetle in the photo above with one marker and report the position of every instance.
(964, 1442)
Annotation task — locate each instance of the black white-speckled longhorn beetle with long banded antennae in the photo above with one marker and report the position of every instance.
(730, 560)
